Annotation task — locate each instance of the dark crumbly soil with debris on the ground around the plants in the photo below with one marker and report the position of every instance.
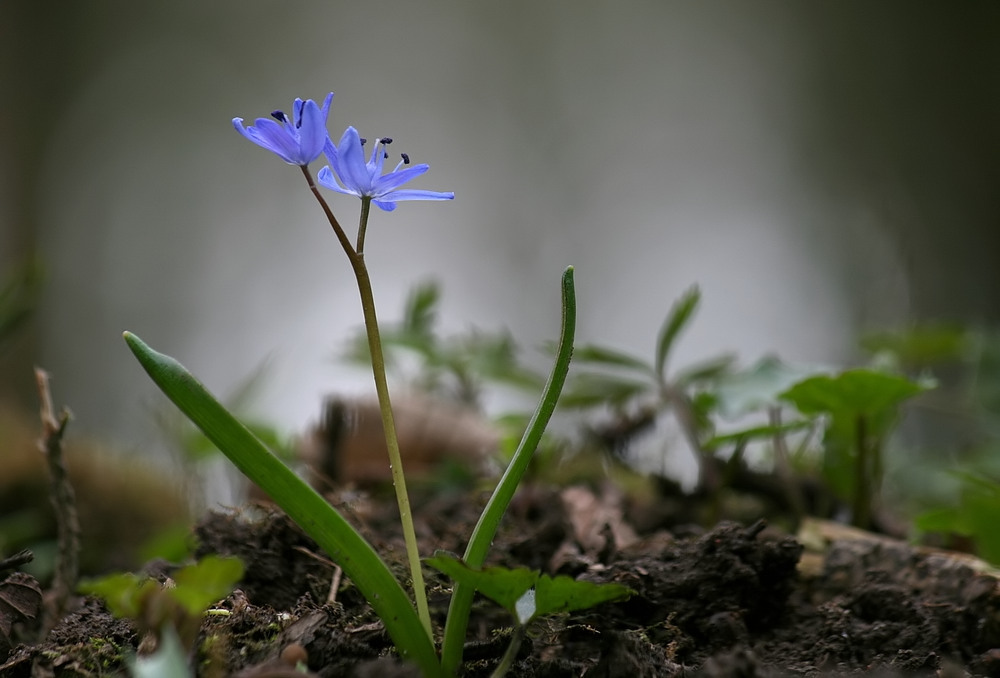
(737, 600)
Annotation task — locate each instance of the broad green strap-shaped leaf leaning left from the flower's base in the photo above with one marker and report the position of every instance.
(304, 505)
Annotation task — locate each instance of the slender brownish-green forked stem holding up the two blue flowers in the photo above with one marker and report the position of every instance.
(356, 257)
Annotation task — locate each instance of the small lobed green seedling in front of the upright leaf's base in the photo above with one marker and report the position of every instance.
(527, 595)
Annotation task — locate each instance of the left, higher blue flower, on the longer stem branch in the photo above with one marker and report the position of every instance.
(298, 141)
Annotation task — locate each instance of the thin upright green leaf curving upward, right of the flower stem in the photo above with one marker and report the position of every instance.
(482, 535)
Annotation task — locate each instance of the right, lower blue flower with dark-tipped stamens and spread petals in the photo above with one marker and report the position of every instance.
(353, 176)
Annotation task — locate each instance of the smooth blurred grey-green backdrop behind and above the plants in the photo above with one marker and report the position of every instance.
(817, 168)
